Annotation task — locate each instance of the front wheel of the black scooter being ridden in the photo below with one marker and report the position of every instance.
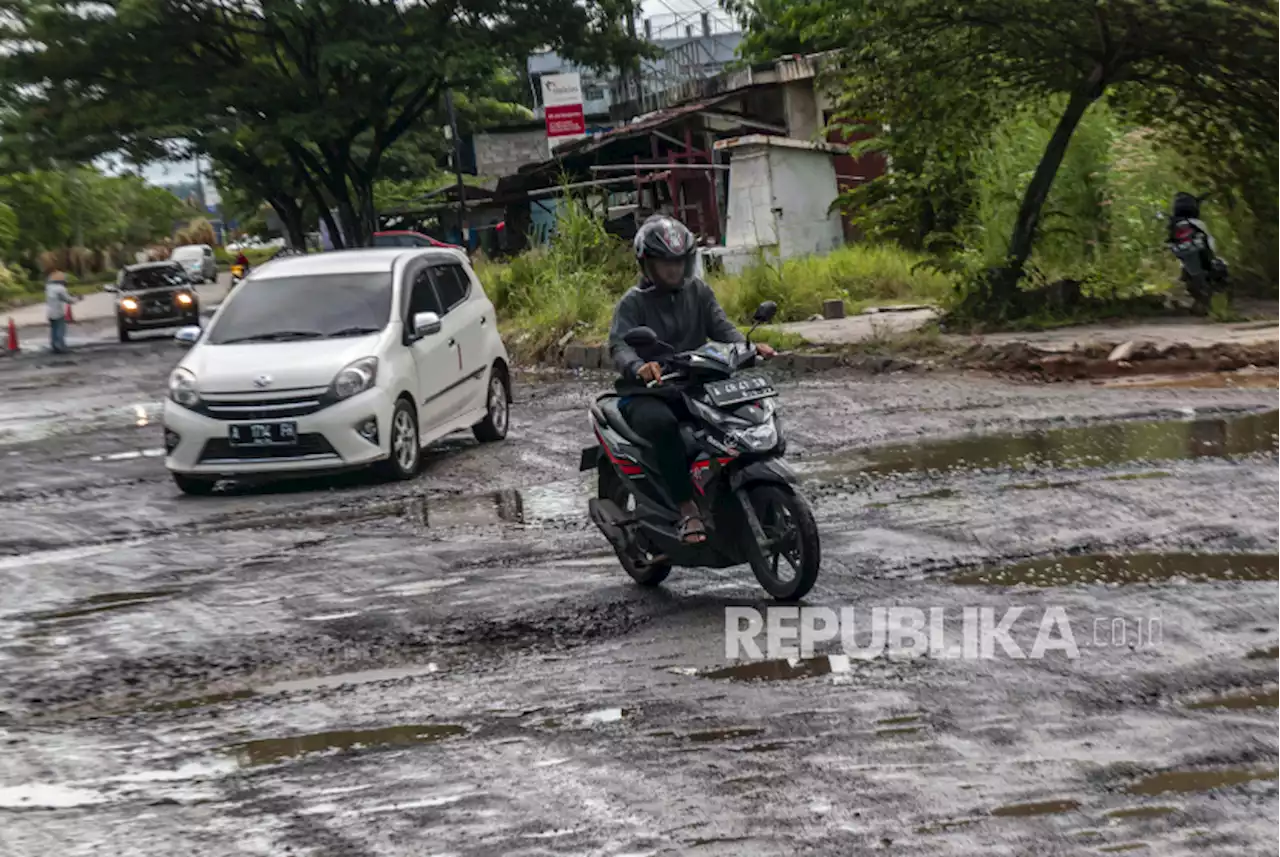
(788, 565)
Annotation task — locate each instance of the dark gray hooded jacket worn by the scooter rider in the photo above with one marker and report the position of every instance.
(685, 319)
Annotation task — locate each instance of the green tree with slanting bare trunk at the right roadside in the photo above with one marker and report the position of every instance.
(1215, 58)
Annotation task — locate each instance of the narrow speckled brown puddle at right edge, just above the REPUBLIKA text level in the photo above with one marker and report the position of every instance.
(1135, 569)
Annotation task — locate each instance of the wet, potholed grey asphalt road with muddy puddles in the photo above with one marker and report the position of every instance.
(459, 666)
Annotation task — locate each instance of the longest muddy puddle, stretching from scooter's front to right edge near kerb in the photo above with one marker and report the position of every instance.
(1078, 447)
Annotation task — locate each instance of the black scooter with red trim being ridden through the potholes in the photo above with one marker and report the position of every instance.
(744, 489)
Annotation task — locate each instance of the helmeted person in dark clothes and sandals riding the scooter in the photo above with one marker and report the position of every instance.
(684, 313)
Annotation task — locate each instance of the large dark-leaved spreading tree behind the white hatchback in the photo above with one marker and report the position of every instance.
(333, 84)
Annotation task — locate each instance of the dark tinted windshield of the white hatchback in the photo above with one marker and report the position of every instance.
(305, 308)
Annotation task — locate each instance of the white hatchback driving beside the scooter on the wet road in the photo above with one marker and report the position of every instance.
(337, 361)
